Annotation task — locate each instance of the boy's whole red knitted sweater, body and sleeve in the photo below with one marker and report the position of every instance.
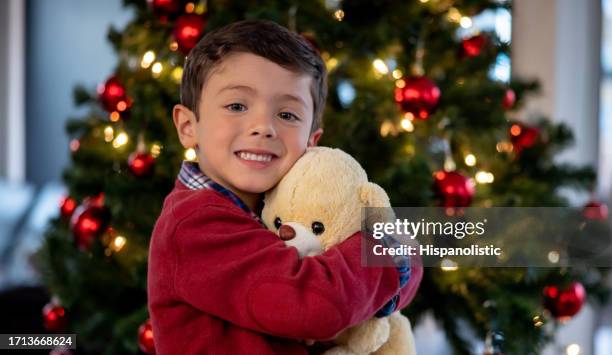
(220, 283)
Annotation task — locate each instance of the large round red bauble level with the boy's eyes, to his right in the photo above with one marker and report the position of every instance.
(419, 96)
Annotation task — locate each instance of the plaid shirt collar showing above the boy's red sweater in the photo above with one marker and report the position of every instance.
(191, 176)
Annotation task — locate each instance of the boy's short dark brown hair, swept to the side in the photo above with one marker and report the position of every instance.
(265, 39)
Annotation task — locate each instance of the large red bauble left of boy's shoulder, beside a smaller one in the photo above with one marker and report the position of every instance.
(89, 221)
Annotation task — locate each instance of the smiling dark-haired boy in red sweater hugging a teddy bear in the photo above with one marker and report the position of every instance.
(252, 98)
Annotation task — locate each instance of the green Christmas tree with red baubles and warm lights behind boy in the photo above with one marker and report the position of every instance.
(411, 98)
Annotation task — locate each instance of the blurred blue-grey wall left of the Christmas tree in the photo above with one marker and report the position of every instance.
(66, 45)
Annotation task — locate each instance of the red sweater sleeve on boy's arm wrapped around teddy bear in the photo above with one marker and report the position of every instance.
(228, 266)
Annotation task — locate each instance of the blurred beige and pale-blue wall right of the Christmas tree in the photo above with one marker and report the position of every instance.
(558, 42)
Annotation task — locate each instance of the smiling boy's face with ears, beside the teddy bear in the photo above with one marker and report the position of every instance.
(254, 123)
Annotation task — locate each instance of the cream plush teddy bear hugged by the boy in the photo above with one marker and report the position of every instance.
(316, 205)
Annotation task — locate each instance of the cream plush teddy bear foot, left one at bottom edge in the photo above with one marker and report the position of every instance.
(370, 335)
